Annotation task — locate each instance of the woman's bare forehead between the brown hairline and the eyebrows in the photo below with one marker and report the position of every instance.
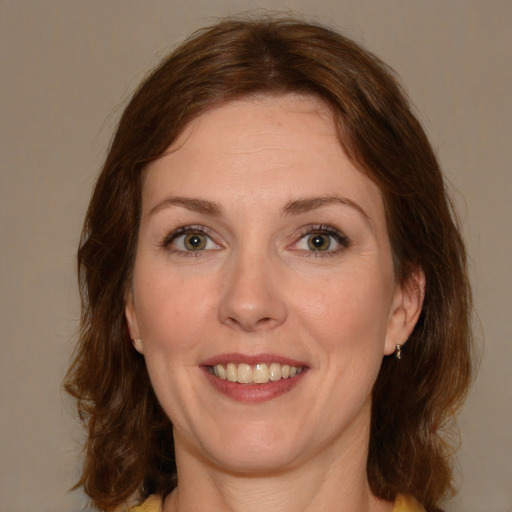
(257, 148)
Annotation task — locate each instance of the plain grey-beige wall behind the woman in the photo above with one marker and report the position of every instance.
(68, 67)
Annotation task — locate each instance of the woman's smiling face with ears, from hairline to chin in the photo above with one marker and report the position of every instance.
(264, 297)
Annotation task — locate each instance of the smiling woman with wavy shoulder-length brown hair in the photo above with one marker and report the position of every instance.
(276, 311)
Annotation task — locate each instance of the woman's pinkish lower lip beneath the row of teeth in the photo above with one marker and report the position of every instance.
(254, 392)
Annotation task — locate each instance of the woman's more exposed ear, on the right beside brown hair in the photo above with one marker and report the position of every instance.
(405, 310)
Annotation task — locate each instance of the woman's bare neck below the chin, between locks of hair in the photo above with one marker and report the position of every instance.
(334, 480)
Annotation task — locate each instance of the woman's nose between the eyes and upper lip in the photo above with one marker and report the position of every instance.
(252, 297)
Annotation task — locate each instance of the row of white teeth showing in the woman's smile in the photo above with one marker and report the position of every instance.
(260, 373)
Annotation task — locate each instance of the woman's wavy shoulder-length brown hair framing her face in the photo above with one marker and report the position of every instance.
(130, 447)
